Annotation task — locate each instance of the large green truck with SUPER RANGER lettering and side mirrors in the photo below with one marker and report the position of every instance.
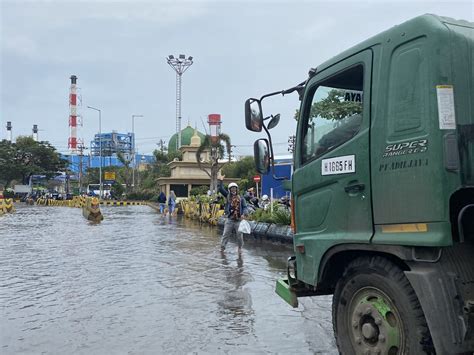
(383, 189)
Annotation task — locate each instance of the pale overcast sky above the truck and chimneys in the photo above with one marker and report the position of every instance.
(118, 50)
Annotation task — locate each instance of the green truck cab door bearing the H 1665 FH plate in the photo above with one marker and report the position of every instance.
(331, 182)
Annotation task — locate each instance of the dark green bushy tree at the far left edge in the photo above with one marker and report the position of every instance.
(27, 157)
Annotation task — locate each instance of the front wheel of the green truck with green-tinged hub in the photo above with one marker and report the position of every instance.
(376, 311)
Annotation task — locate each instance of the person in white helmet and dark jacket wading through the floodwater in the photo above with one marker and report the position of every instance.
(235, 210)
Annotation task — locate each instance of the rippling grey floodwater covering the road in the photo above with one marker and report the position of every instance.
(138, 283)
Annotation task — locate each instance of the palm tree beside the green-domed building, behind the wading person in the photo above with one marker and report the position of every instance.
(217, 152)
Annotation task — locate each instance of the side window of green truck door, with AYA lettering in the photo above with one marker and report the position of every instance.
(334, 114)
